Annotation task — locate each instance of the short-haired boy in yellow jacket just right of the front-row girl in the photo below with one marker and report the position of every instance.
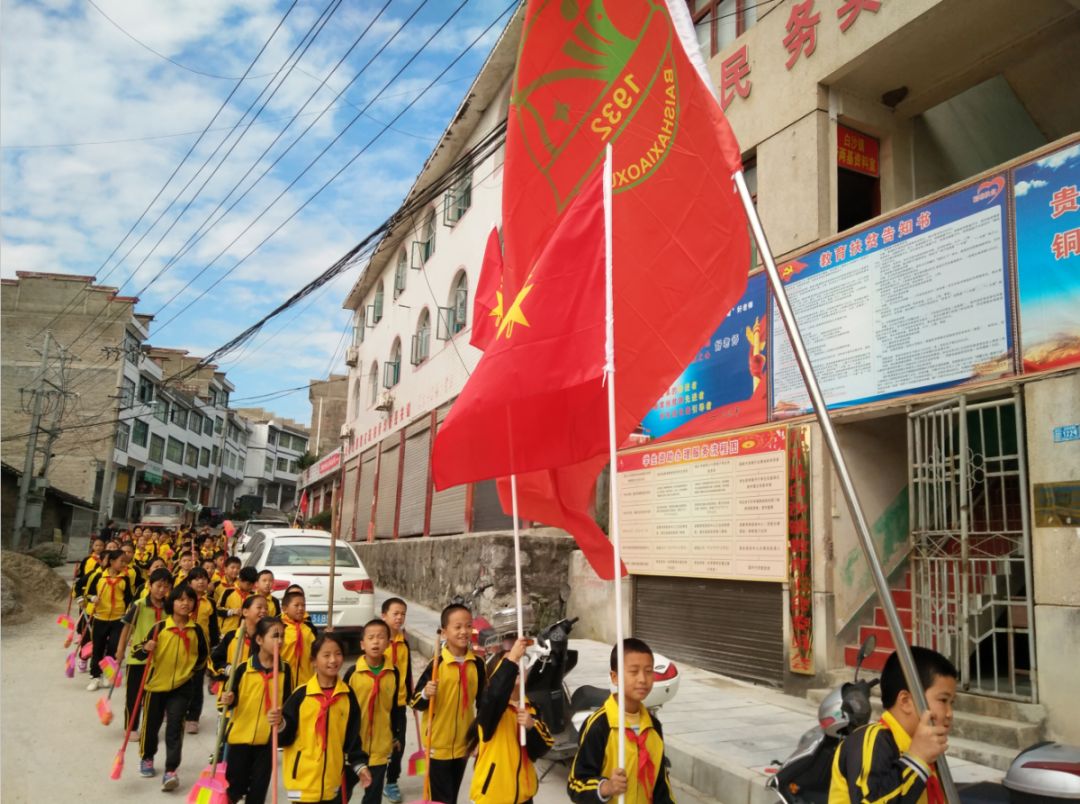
(375, 682)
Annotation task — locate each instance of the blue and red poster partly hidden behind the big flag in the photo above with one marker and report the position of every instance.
(725, 386)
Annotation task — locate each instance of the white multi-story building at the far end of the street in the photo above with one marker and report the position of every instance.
(275, 449)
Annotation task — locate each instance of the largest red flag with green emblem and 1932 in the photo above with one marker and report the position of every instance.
(619, 73)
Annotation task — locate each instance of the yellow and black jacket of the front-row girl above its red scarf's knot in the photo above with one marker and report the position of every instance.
(321, 736)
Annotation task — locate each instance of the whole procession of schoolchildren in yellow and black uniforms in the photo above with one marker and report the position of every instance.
(175, 622)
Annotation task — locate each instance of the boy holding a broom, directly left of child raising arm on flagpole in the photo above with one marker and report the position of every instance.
(449, 703)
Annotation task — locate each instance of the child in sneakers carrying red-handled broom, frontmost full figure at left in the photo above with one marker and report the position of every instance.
(179, 650)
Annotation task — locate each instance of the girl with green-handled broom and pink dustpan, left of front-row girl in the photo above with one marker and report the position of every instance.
(249, 699)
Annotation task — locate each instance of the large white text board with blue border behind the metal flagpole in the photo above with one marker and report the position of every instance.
(914, 304)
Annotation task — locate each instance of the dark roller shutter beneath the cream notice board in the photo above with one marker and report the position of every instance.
(731, 627)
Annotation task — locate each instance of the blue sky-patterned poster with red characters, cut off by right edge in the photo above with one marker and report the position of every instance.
(1048, 259)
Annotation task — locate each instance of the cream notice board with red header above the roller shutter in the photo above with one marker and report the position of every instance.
(709, 508)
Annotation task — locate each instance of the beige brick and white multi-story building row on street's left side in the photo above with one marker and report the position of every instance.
(127, 430)
